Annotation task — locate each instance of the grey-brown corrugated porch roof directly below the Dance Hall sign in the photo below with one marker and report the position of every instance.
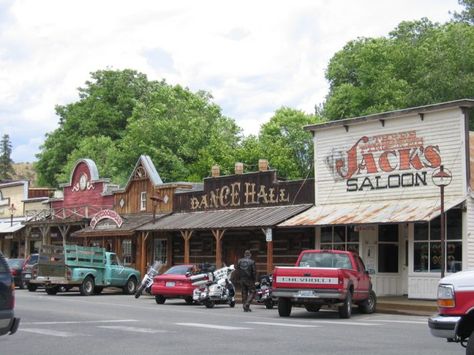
(225, 219)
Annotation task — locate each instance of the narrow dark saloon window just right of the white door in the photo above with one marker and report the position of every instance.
(388, 248)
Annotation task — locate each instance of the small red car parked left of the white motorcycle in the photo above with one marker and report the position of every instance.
(174, 283)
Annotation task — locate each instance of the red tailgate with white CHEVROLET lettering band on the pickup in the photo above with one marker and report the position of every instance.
(310, 278)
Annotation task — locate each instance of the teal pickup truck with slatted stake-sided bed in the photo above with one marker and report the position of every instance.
(89, 268)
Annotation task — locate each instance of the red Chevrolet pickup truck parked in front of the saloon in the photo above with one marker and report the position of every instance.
(331, 278)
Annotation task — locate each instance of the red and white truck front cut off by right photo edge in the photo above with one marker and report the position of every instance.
(455, 321)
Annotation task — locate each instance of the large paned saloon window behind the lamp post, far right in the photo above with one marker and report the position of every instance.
(427, 244)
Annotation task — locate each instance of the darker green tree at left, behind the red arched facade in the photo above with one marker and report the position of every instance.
(104, 106)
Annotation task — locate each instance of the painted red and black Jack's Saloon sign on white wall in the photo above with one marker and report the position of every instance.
(387, 161)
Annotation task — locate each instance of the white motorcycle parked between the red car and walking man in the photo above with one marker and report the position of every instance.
(214, 287)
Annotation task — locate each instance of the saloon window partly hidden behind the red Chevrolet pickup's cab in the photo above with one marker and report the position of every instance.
(340, 238)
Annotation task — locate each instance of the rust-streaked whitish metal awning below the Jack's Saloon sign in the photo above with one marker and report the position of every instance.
(414, 210)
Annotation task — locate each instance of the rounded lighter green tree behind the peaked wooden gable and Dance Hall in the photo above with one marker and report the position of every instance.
(183, 132)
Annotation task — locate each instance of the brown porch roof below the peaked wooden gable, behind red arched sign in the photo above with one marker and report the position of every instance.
(130, 224)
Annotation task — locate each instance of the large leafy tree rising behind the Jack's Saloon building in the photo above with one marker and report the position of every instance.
(419, 63)
